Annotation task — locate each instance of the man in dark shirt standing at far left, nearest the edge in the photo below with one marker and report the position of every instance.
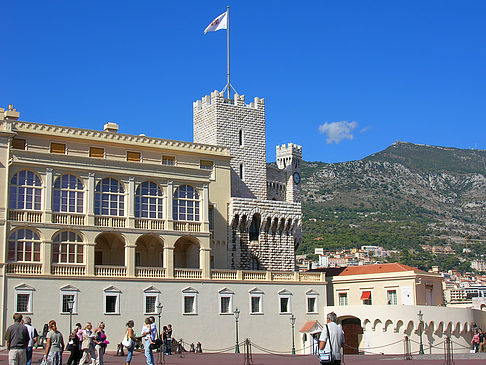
(17, 338)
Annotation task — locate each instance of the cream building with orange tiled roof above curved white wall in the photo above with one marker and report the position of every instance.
(378, 305)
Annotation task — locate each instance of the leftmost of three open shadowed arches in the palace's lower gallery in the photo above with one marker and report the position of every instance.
(110, 249)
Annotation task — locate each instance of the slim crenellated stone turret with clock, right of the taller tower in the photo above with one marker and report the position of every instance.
(289, 159)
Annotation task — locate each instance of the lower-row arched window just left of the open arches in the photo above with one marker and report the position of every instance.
(67, 248)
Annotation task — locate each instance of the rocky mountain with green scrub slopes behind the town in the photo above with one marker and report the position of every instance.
(401, 197)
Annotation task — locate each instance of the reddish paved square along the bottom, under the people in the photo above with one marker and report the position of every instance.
(265, 359)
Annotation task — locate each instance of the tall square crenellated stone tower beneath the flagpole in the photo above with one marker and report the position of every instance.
(241, 128)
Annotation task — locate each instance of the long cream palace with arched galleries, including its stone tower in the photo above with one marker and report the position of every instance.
(121, 225)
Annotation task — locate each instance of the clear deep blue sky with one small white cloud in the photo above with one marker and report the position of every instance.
(344, 79)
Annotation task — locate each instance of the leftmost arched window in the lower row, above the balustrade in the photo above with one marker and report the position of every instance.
(24, 245)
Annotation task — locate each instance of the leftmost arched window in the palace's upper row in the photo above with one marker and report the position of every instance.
(25, 191)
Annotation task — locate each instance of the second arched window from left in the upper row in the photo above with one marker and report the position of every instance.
(68, 194)
